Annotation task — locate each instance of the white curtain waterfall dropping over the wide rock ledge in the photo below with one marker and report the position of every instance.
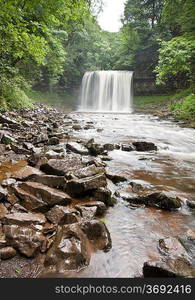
(109, 91)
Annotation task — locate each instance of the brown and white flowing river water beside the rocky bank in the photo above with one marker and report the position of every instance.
(135, 232)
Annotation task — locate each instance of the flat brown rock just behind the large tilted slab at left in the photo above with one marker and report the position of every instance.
(50, 180)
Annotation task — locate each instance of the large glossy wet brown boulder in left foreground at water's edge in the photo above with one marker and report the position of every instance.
(70, 250)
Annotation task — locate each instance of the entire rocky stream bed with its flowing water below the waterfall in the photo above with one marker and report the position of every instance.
(87, 192)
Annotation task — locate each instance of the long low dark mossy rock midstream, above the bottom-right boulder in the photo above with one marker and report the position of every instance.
(161, 200)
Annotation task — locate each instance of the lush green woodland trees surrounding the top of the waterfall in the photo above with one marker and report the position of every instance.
(48, 45)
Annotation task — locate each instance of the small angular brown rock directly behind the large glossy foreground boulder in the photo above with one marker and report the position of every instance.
(62, 215)
